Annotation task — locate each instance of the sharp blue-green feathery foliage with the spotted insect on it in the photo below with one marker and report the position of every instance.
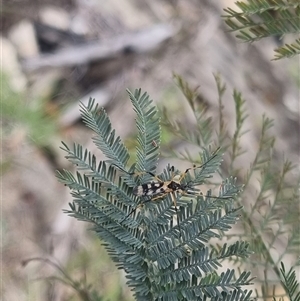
(166, 256)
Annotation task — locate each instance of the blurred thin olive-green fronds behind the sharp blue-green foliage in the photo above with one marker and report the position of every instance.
(270, 214)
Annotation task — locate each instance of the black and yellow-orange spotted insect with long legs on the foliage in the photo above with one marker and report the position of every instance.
(159, 189)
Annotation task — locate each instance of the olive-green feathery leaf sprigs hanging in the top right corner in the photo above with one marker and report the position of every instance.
(263, 18)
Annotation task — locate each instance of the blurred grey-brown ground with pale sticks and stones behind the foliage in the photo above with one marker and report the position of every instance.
(56, 54)
